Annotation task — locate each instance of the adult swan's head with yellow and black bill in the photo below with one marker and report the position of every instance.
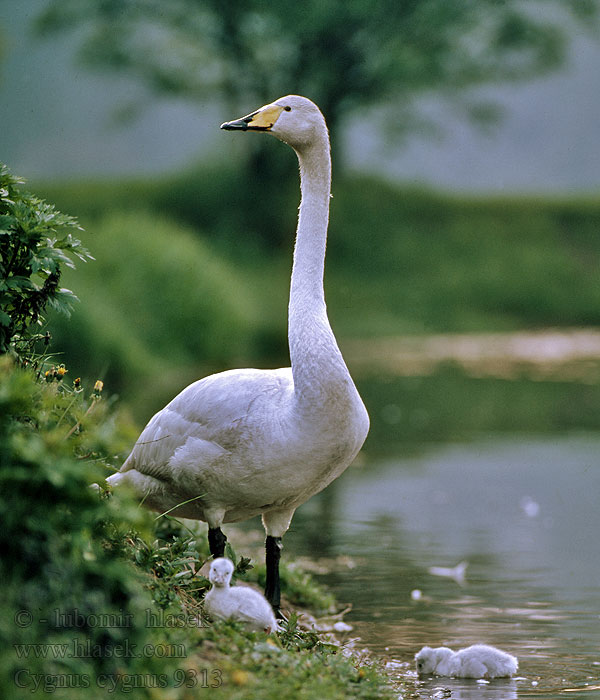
(293, 119)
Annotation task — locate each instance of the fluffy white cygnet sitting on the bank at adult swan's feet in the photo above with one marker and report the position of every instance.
(237, 602)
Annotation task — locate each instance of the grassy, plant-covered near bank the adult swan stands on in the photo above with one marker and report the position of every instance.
(102, 596)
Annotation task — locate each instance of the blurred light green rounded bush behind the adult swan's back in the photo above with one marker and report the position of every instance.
(158, 308)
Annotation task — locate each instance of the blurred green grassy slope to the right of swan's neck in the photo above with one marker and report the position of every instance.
(423, 262)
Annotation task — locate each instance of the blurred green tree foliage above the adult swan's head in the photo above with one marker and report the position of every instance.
(344, 55)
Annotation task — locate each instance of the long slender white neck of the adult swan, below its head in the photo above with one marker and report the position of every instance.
(317, 365)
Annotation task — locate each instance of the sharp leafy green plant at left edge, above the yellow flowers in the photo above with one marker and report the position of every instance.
(36, 241)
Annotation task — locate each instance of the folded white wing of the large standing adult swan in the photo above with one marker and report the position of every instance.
(202, 423)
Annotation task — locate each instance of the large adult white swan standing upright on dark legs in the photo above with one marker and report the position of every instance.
(247, 442)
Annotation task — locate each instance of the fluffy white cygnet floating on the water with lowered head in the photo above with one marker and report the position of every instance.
(477, 661)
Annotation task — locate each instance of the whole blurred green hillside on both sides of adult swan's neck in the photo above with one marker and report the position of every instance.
(192, 272)
